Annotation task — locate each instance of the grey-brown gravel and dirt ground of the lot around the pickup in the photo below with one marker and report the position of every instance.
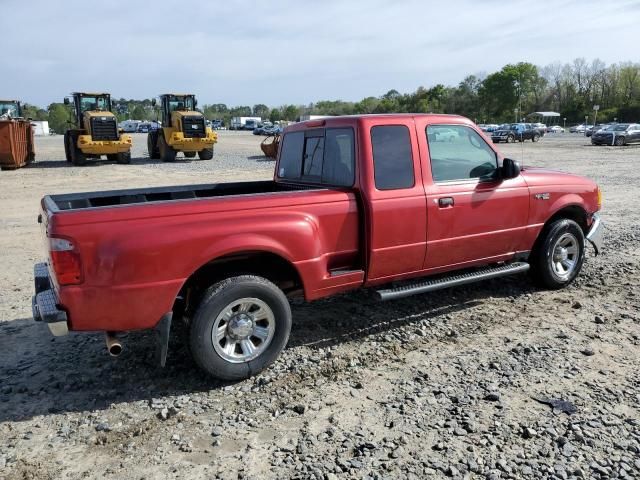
(496, 380)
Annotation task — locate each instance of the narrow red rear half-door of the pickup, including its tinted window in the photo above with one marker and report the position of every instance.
(395, 202)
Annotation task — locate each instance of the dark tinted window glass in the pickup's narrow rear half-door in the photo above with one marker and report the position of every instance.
(392, 160)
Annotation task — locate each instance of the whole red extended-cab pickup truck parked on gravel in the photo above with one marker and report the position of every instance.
(401, 204)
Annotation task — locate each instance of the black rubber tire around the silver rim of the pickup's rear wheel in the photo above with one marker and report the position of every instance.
(219, 298)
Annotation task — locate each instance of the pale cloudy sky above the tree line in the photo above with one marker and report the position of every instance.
(288, 51)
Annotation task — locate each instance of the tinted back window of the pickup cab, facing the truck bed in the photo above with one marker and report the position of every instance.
(319, 156)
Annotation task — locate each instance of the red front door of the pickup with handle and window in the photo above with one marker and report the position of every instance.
(473, 215)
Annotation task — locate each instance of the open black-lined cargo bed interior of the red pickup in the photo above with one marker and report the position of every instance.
(79, 201)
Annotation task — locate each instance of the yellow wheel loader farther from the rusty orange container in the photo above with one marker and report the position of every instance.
(183, 129)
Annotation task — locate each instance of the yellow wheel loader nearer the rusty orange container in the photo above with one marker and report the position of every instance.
(95, 132)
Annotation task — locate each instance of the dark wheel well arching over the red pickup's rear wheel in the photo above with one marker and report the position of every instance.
(264, 264)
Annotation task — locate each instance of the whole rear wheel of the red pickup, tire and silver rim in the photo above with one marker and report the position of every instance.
(240, 327)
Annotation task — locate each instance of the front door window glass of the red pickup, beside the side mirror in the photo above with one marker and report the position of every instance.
(459, 153)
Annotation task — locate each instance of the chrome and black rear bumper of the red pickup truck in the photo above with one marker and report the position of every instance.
(44, 303)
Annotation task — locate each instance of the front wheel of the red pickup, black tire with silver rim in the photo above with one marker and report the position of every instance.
(544, 265)
